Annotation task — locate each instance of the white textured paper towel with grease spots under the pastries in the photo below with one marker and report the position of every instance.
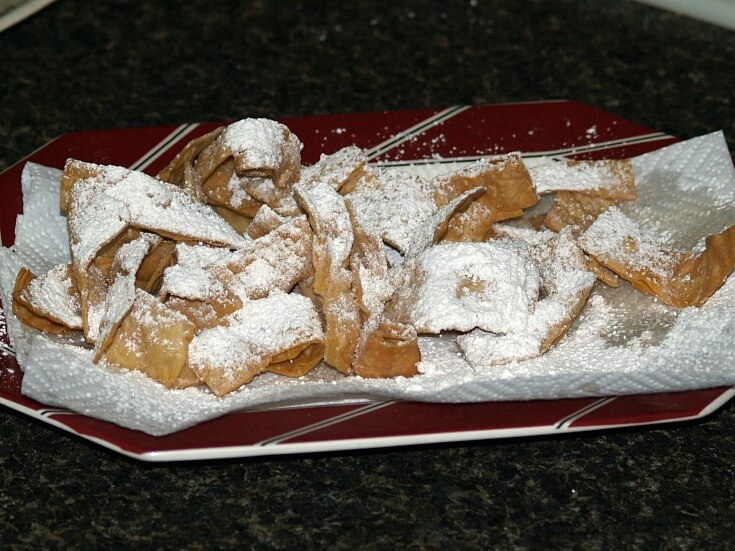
(623, 343)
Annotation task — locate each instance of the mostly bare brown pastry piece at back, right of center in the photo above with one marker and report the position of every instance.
(509, 190)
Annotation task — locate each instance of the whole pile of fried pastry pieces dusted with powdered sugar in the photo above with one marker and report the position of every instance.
(236, 260)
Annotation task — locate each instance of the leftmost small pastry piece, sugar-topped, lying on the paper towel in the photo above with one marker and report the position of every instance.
(47, 303)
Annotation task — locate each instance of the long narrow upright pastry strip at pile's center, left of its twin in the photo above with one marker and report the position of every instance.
(333, 281)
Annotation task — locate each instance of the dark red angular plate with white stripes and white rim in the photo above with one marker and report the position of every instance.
(560, 128)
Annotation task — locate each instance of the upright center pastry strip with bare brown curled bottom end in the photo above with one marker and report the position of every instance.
(385, 348)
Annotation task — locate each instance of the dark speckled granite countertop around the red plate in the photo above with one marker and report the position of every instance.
(81, 65)
